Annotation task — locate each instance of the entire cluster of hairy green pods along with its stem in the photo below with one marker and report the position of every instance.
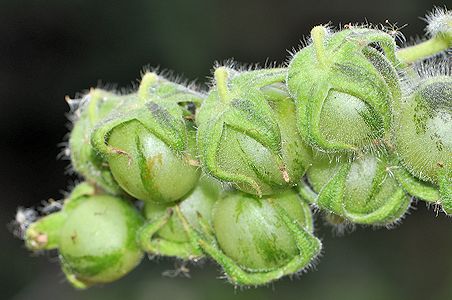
(353, 127)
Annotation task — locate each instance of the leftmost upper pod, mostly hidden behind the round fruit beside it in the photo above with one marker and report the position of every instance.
(95, 106)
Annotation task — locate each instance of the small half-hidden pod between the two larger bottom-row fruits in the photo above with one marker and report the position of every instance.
(164, 233)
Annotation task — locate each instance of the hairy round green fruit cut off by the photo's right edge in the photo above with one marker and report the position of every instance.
(423, 134)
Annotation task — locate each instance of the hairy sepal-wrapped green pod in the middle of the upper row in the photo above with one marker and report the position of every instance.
(247, 132)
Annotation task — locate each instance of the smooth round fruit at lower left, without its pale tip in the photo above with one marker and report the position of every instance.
(98, 241)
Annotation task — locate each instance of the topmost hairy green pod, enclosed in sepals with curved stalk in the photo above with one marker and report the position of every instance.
(342, 79)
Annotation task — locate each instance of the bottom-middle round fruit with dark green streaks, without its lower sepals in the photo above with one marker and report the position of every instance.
(251, 232)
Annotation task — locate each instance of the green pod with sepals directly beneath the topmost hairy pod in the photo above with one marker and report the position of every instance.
(362, 191)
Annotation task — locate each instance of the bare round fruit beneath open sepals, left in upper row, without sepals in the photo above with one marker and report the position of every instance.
(149, 170)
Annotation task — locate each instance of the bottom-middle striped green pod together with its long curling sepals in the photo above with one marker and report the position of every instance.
(258, 240)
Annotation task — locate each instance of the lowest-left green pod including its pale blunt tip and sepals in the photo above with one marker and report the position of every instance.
(95, 235)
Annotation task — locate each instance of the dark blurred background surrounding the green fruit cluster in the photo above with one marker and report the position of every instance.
(49, 49)
